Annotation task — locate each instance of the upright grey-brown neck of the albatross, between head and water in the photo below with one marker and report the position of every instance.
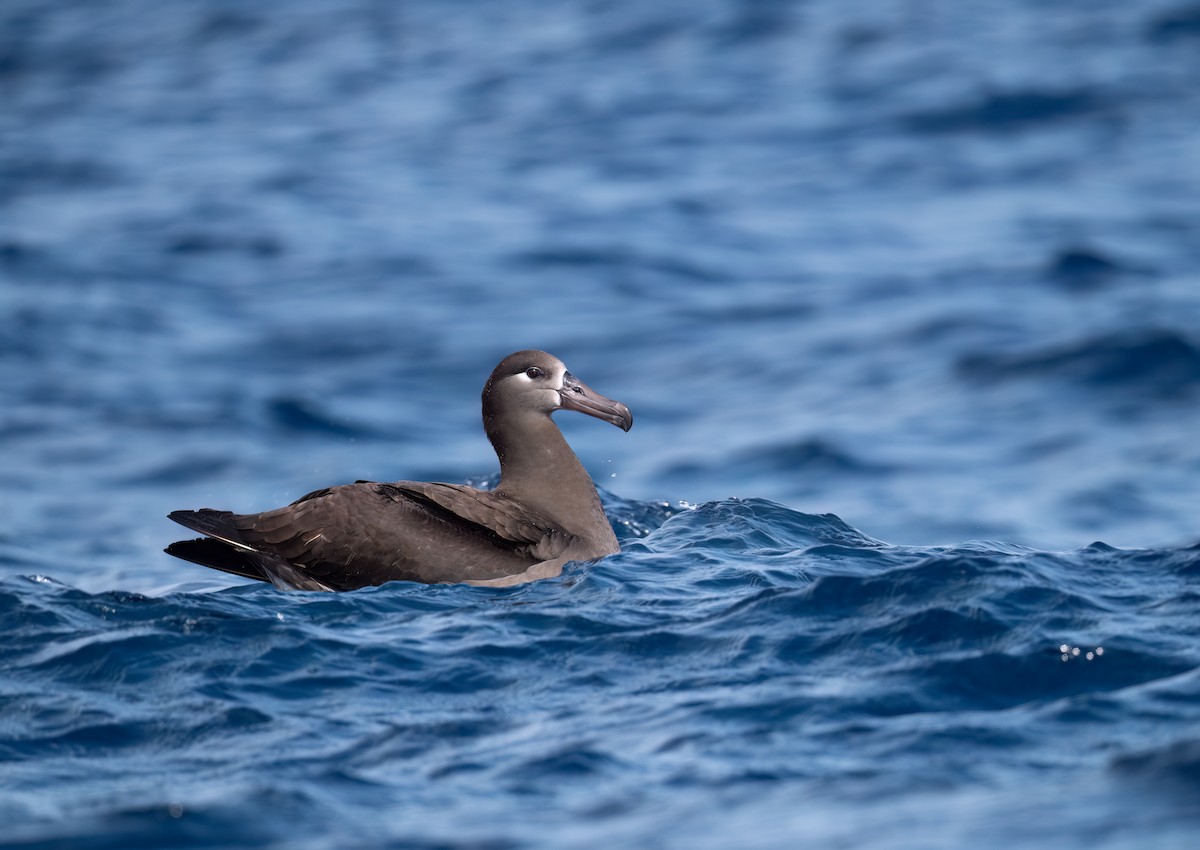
(539, 470)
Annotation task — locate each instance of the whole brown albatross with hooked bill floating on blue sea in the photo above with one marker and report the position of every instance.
(544, 513)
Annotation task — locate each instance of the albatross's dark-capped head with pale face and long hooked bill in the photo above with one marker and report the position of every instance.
(537, 382)
